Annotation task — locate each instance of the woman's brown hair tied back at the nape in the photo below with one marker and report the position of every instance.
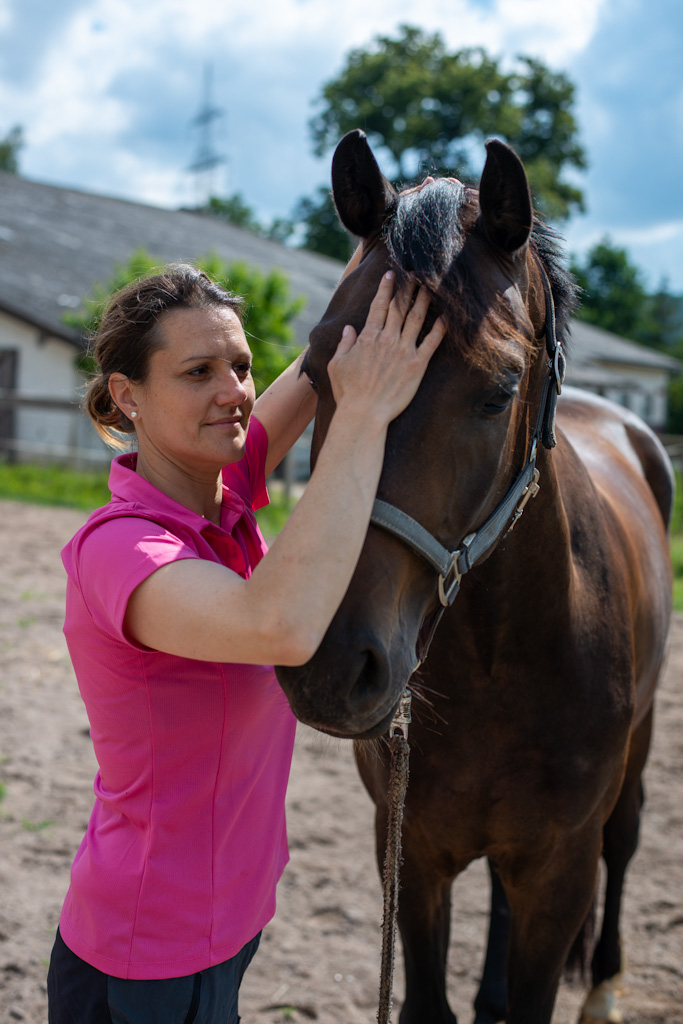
(129, 335)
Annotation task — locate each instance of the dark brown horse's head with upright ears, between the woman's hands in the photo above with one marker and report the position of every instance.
(452, 456)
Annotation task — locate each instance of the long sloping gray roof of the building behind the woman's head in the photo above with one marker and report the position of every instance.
(57, 243)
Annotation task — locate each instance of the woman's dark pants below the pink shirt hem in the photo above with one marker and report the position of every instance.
(79, 994)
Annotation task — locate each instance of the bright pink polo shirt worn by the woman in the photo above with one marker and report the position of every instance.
(187, 841)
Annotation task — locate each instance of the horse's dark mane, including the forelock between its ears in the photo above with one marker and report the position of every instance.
(436, 235)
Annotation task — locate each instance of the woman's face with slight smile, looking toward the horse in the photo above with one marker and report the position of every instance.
(195, 405)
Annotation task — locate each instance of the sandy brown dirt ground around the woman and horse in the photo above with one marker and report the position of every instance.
(320, 958)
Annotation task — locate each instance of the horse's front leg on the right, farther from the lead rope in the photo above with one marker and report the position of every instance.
(549, 904)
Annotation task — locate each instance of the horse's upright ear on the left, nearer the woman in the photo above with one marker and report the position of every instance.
(363, 196)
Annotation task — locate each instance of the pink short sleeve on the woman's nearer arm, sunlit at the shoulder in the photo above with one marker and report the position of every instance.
(114, 559)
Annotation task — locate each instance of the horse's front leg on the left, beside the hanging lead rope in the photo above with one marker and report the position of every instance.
(424, 920)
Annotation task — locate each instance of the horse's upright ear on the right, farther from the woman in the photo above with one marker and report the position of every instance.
(505, 199)
